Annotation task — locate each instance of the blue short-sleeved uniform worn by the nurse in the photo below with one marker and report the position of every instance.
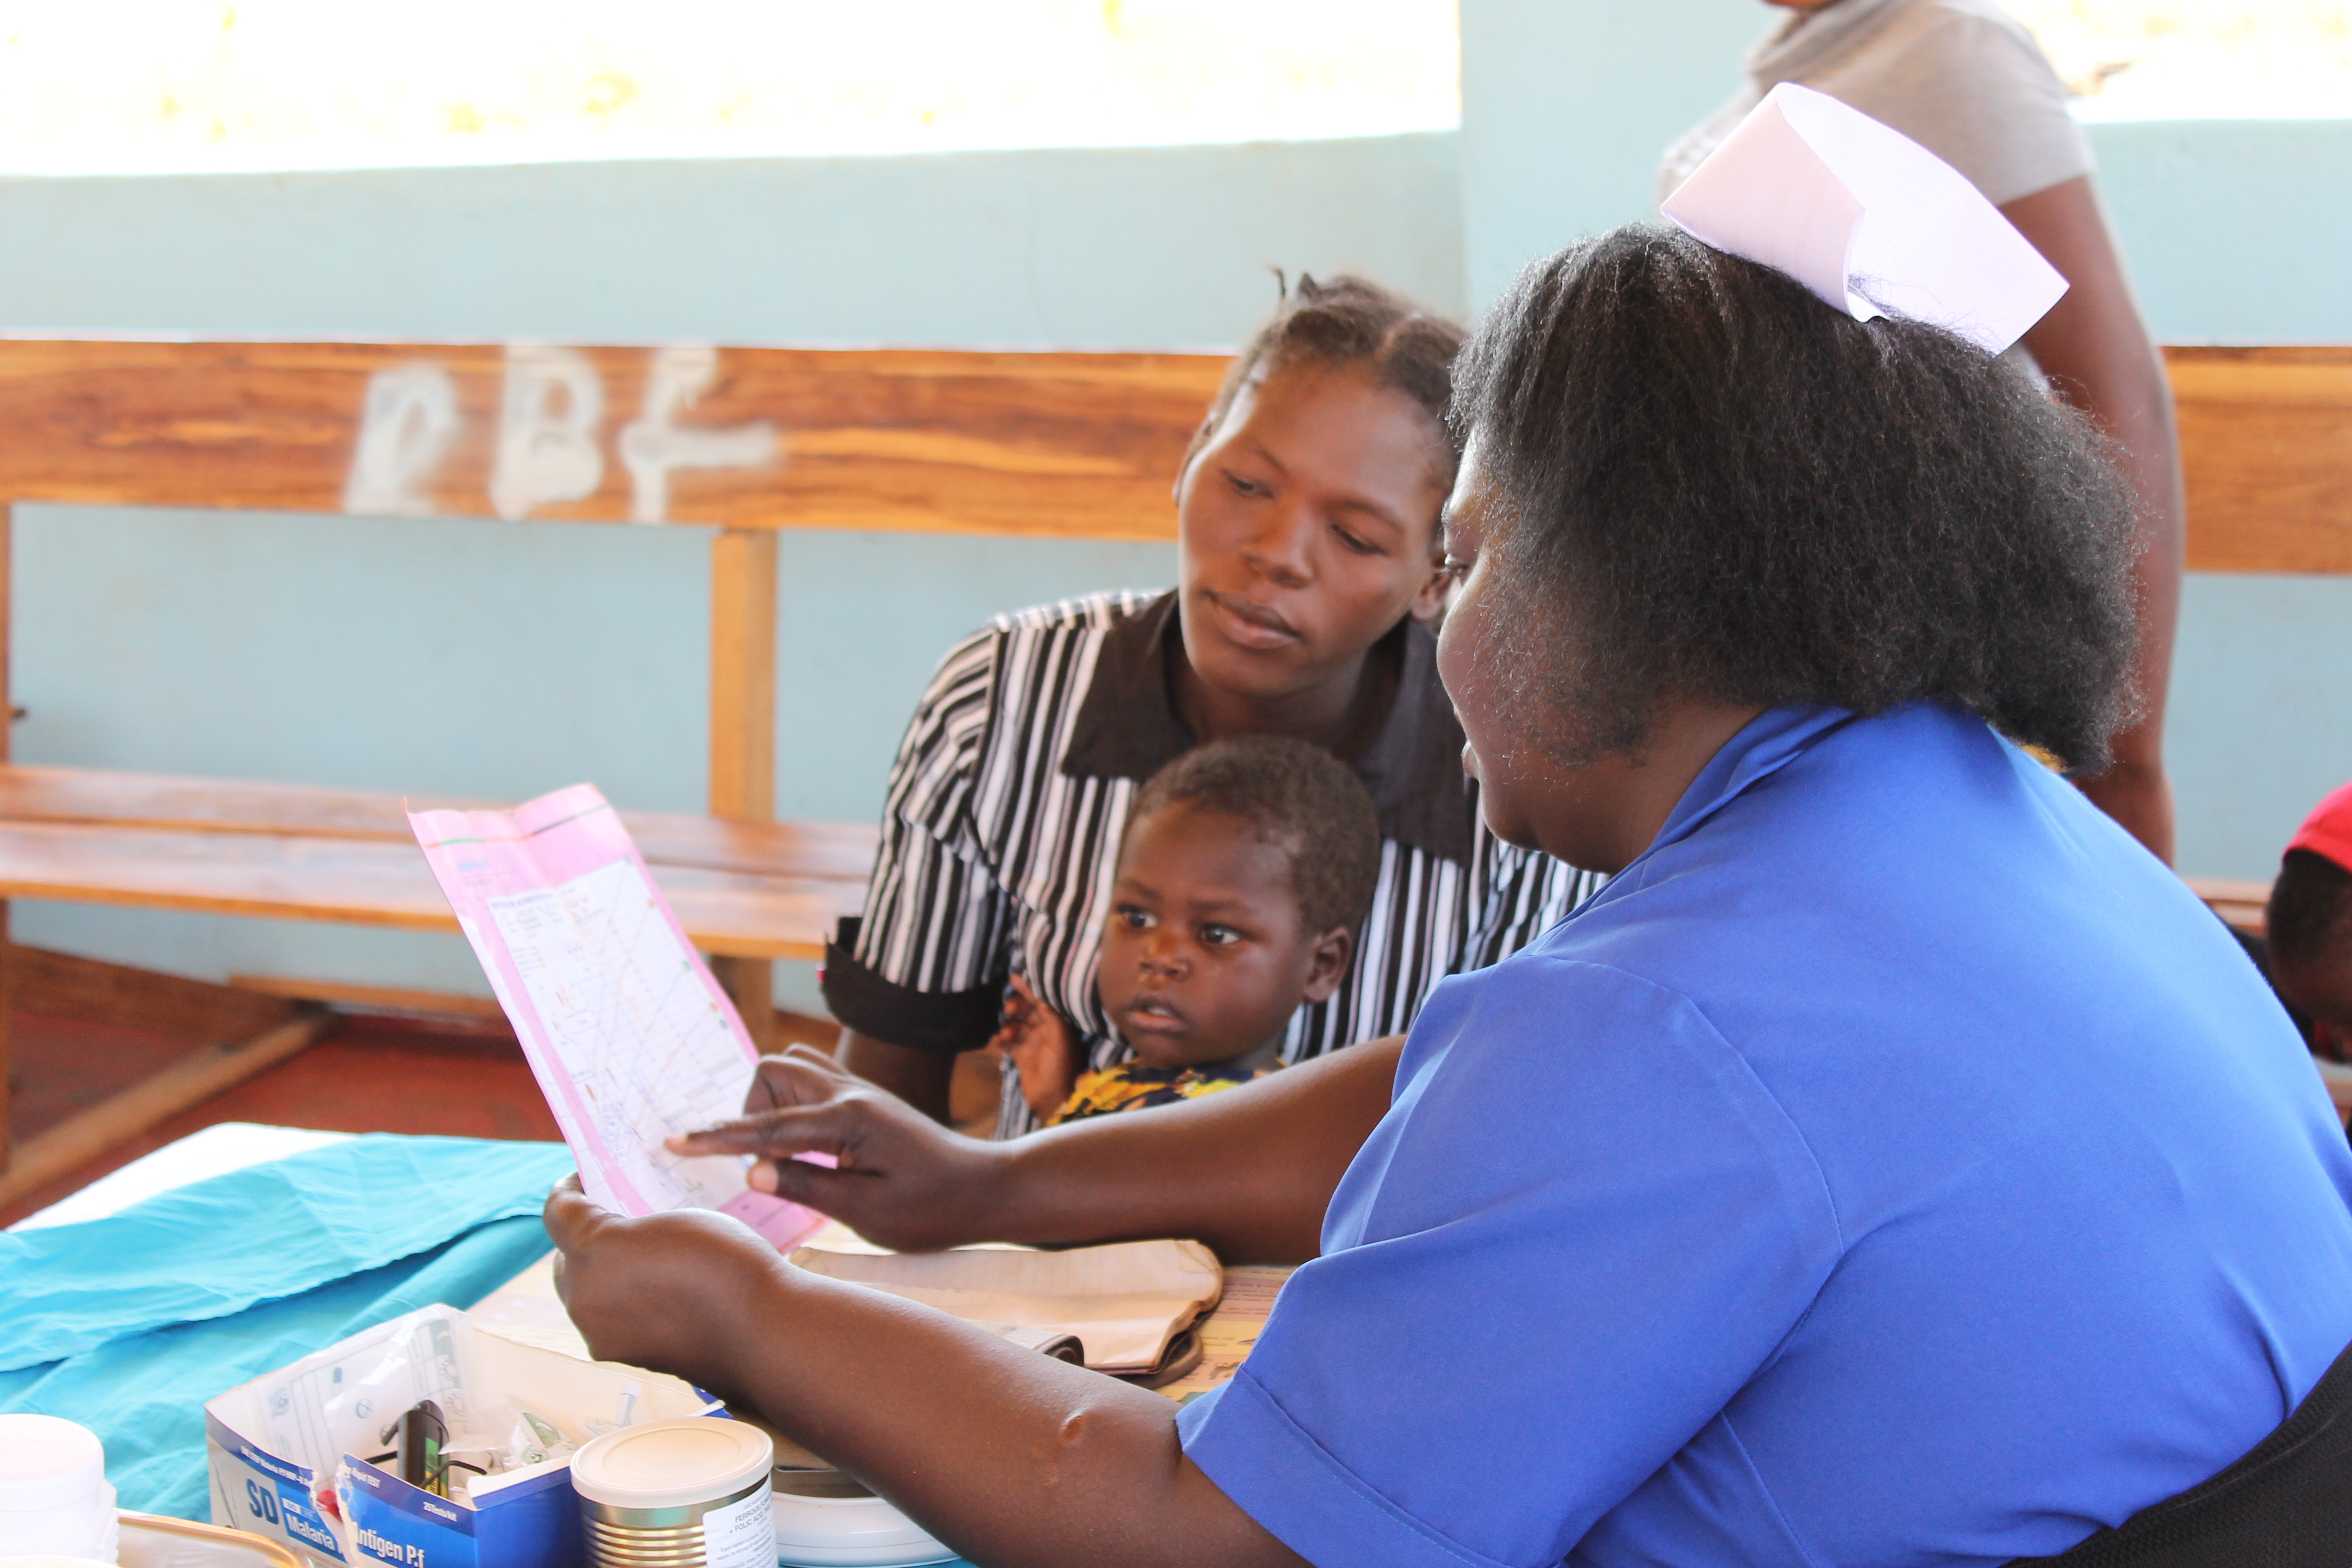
(1895, 1165)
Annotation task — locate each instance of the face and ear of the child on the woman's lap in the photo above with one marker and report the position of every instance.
(1203, 956)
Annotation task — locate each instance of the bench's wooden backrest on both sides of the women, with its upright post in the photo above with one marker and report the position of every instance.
(1078, 445)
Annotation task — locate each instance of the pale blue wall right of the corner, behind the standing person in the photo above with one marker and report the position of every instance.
(2236, 234)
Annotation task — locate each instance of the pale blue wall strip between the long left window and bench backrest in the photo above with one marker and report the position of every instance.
(1071, 248)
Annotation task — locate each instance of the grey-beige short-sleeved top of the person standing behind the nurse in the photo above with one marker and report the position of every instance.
(1963, 79)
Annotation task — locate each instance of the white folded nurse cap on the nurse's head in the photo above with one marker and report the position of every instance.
(1869, 220)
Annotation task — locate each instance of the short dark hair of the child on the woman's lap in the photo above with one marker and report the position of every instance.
(1297, 796)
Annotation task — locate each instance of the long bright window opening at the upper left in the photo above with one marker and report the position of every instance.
(185, 86)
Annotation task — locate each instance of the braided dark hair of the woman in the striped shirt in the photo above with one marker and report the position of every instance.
(1354, 323)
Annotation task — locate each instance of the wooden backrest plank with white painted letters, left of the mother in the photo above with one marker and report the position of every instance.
(747, 438)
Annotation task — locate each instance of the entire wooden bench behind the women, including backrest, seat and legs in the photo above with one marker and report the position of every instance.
(747, 441)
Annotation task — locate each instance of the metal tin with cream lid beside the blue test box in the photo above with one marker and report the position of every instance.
(679, 1494)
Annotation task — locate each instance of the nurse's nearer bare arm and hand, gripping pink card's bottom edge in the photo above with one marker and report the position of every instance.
(1003, 1454)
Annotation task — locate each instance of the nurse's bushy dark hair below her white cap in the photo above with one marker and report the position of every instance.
(1709, 483)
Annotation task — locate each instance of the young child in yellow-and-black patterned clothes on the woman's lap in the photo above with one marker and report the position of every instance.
(1243, 876)
